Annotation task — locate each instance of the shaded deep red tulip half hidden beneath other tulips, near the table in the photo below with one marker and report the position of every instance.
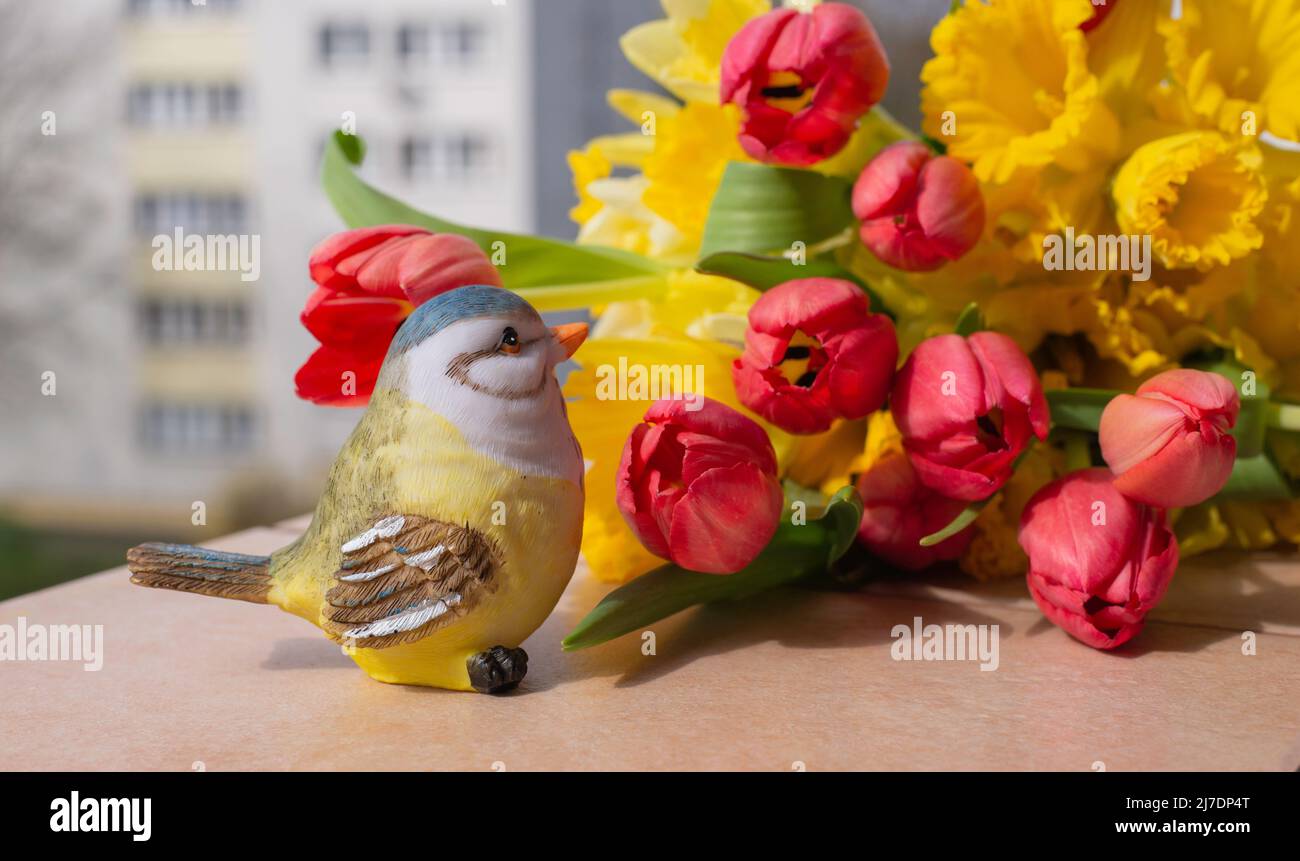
(899, 512)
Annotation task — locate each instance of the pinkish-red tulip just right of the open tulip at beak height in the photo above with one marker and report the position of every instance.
(967, 409)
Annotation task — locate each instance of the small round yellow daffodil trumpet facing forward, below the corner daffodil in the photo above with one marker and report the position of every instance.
(1197, 194)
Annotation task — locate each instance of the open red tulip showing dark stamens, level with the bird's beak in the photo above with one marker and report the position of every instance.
(814, 353)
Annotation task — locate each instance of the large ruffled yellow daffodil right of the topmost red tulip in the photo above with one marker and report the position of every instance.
(1034, 105)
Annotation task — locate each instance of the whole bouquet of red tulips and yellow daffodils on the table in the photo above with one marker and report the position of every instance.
(1055, 334)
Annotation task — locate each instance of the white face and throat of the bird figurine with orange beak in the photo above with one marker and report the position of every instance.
(495, 379)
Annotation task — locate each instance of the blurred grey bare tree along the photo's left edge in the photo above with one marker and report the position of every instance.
(55, 131)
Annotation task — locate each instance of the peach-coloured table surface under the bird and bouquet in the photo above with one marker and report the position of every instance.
(790, 681)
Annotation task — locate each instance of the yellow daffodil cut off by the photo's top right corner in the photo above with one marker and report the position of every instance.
(1238, 63)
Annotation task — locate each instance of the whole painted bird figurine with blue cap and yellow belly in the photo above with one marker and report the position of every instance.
(453, 517)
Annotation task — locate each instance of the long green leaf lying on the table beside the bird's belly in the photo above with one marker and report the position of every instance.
(794, 553)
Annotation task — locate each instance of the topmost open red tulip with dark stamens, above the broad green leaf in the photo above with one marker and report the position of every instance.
(803, 80)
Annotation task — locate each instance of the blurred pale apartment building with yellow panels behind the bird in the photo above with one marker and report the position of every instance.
(216, 116)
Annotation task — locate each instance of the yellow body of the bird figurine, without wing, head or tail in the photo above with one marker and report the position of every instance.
(535, 522)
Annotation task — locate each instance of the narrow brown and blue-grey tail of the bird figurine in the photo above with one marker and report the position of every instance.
(188, 569)
